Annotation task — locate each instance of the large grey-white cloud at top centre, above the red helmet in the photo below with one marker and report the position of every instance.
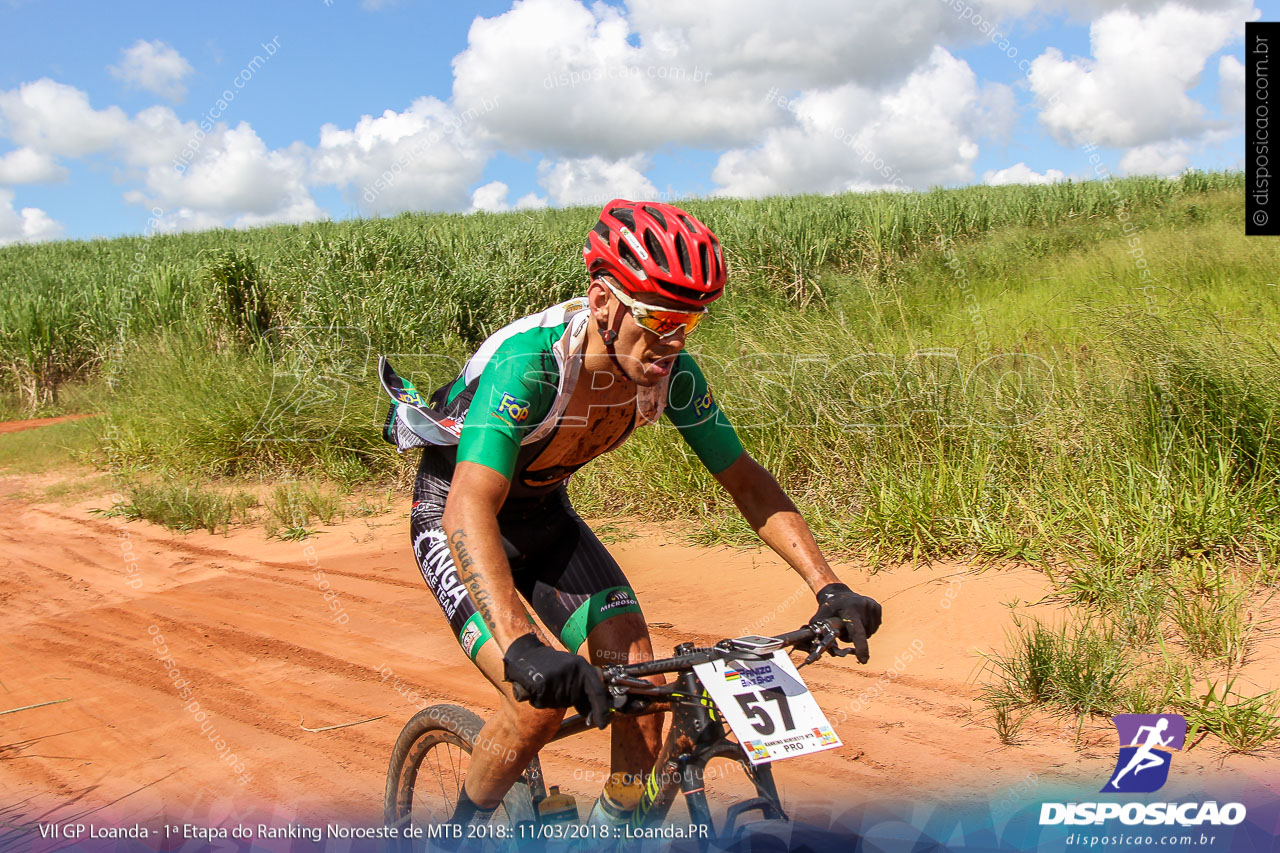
(574, 80)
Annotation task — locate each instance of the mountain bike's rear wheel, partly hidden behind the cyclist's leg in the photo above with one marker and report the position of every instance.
(429, 764)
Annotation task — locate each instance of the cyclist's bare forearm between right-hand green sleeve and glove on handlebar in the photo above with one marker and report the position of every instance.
(776, 519)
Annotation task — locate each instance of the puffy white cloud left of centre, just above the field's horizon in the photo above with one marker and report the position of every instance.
(422, 159)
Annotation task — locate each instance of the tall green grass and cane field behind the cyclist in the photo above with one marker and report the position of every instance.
(982, 373)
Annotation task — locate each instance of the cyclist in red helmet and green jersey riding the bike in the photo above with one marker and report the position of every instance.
(492, 523)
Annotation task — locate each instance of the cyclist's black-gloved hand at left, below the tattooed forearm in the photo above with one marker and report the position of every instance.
(555, 679)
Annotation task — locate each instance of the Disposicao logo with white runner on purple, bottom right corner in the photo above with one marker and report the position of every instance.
(1148, 745)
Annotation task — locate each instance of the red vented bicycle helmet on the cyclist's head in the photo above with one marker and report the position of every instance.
(652, 248)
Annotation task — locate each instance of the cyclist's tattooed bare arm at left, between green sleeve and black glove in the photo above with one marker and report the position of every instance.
(470, 521)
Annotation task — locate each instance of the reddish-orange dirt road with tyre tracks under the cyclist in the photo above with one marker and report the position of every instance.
(262, 650)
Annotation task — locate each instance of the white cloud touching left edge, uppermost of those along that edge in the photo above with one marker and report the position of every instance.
(56, 118)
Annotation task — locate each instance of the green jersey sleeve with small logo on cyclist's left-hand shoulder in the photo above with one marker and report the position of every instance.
(514, 395)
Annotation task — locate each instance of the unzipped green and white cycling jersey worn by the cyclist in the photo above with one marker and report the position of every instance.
(506, 408)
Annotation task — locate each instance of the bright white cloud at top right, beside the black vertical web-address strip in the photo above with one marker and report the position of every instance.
(1136, 89)
